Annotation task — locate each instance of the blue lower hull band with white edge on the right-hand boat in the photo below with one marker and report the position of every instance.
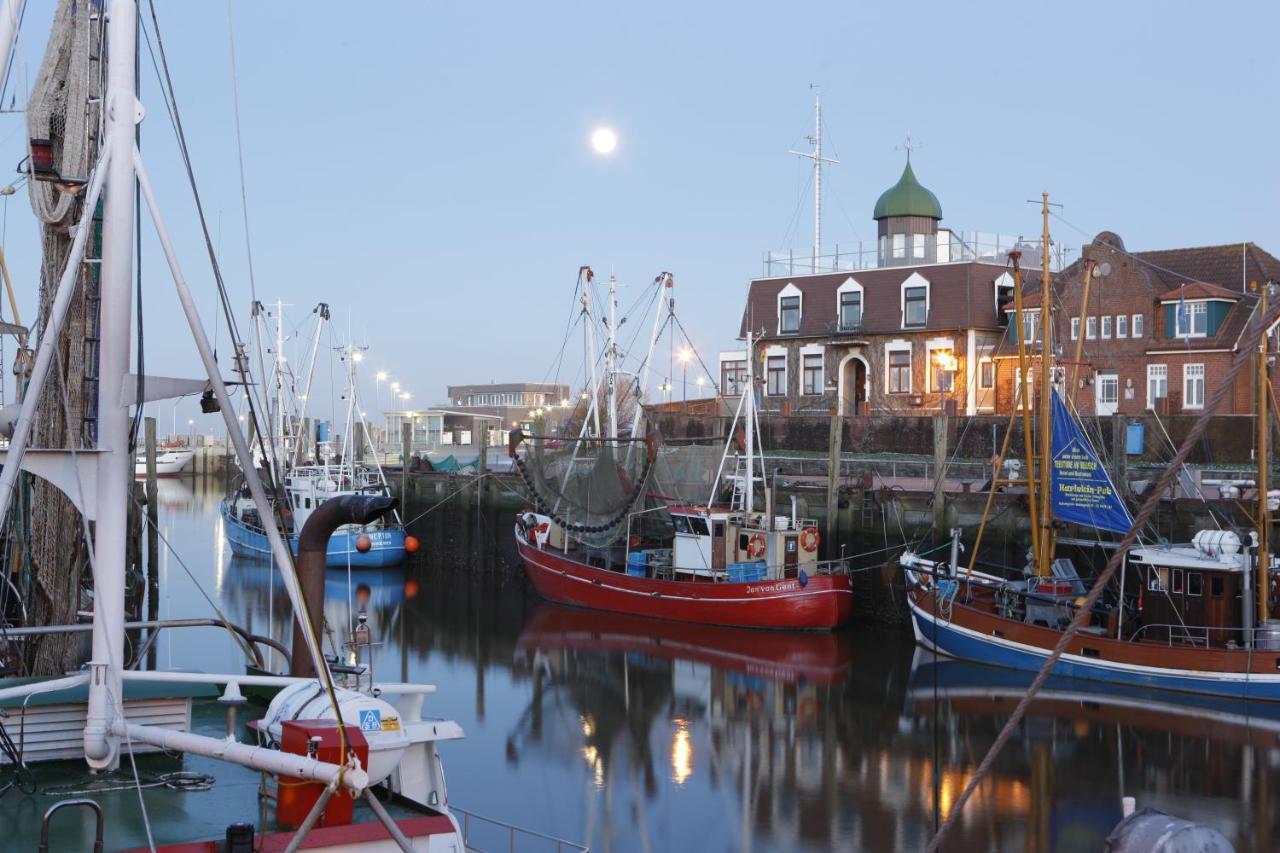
(956, 641)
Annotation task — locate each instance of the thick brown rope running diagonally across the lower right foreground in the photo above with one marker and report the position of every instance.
(1086, 609)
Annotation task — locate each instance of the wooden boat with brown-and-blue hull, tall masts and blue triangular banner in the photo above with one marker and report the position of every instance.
(1196, 618)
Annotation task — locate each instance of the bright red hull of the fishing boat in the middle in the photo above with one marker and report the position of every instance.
(822, 604)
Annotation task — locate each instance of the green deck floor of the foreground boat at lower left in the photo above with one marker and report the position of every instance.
(177, 815)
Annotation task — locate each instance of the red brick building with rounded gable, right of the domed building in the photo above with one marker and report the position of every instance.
(1160, 331)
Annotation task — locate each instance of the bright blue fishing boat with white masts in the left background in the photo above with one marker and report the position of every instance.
(308, 485)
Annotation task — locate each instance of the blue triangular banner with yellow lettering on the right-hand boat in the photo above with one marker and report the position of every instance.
(1081, 490)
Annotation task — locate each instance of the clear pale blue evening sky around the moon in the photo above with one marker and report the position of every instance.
(426, 168)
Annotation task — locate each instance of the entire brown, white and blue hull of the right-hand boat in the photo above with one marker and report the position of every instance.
(972, 635)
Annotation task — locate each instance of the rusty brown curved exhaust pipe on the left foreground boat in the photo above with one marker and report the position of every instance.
(313, 550)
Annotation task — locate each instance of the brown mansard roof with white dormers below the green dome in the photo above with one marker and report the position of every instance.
(962, 297)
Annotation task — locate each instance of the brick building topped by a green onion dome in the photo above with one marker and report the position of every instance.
(913, 330)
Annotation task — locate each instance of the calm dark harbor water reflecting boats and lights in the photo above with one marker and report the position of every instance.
(629, 735)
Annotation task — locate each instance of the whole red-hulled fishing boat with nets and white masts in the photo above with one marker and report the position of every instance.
(719, 563)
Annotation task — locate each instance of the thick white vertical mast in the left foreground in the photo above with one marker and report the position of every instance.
(115, 460)
